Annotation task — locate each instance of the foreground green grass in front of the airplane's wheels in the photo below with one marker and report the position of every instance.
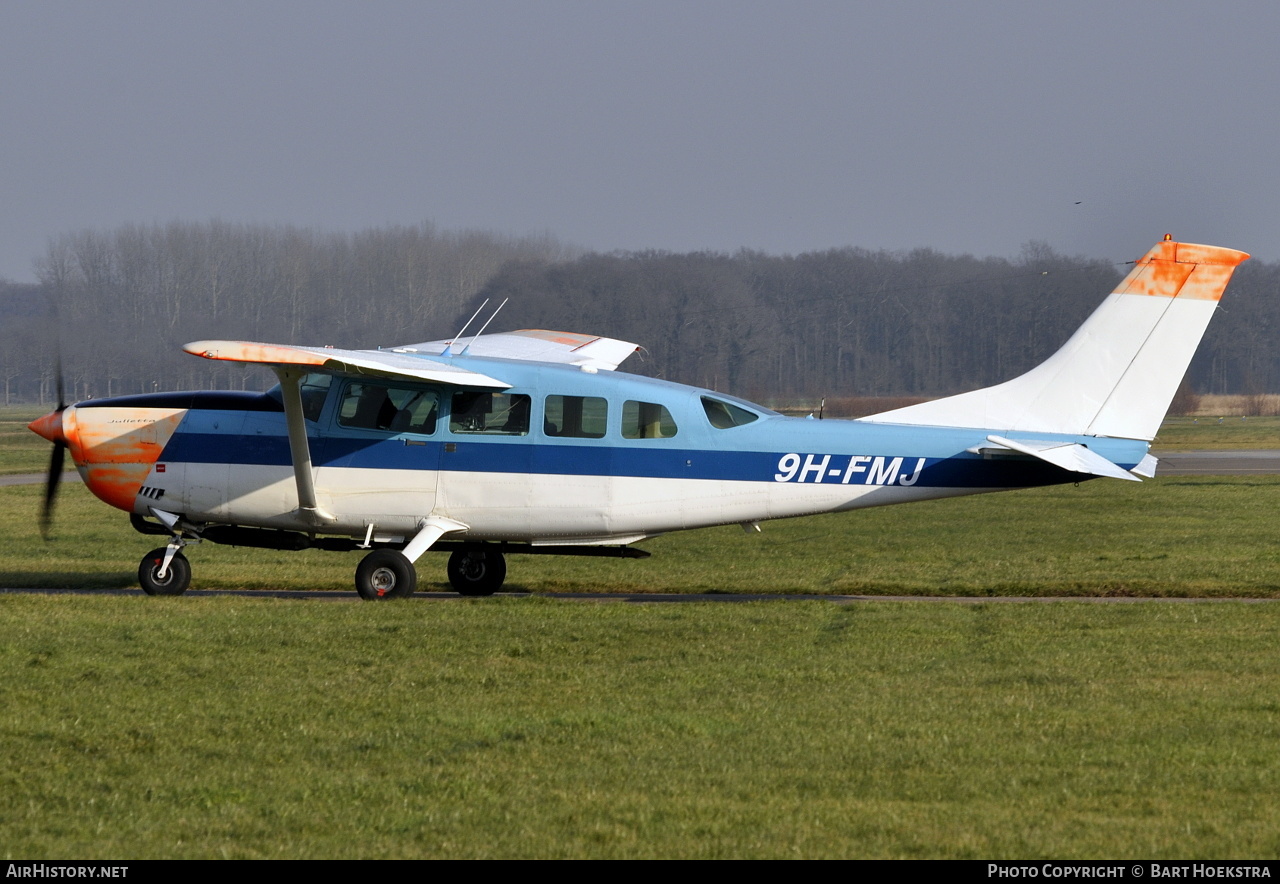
(230, 727)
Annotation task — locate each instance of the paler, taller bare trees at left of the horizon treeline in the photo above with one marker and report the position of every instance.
(118, 305)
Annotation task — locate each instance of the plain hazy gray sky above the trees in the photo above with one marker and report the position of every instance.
(785, 127)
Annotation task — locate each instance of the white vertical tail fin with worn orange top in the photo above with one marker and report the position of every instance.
(1119, 372)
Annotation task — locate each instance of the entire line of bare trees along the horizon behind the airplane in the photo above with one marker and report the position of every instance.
(839, 323)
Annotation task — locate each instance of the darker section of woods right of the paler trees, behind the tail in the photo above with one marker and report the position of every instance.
(854, 323)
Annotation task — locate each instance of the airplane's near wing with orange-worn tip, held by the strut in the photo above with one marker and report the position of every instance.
(377, 364)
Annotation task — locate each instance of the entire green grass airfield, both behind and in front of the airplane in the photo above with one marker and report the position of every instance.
(529, 727)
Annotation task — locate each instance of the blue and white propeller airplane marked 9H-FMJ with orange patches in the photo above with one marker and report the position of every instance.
(531, 442)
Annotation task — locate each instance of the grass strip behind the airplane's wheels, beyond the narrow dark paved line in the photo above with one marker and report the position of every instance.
(1197, 537)
